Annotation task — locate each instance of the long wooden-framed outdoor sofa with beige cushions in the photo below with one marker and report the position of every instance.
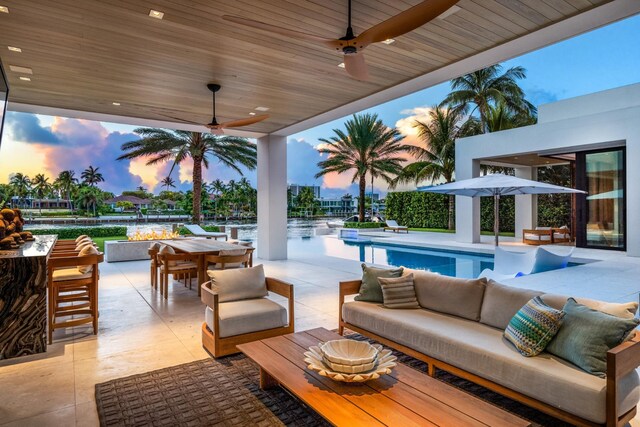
(460, 327)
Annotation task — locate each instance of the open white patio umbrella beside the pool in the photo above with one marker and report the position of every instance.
(497, 185)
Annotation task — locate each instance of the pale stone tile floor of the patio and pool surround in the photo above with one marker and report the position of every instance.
(139, 331)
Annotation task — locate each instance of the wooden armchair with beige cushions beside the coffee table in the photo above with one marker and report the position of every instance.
(238, 310)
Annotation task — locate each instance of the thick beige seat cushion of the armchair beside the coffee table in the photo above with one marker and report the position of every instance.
(252, 315)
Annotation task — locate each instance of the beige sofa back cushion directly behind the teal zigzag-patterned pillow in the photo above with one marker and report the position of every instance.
(502, 302)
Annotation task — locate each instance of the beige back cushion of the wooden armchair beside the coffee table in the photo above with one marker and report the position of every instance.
(239, 284)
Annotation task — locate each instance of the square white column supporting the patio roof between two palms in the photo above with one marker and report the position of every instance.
(272, 197)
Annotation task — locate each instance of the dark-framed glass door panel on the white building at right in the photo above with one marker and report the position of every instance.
(605, 199)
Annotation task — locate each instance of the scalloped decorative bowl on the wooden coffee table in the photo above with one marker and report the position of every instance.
(358, 372)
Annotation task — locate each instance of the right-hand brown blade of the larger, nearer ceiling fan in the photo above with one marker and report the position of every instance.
(405, 22)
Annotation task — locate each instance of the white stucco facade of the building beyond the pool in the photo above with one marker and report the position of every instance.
(609, 118)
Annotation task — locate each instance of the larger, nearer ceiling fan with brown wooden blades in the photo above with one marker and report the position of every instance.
(351, 45)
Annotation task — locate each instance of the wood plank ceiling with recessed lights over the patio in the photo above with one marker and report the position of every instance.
(87, 54)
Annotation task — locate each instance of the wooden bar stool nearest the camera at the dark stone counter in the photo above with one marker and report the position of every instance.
(72, 283)
